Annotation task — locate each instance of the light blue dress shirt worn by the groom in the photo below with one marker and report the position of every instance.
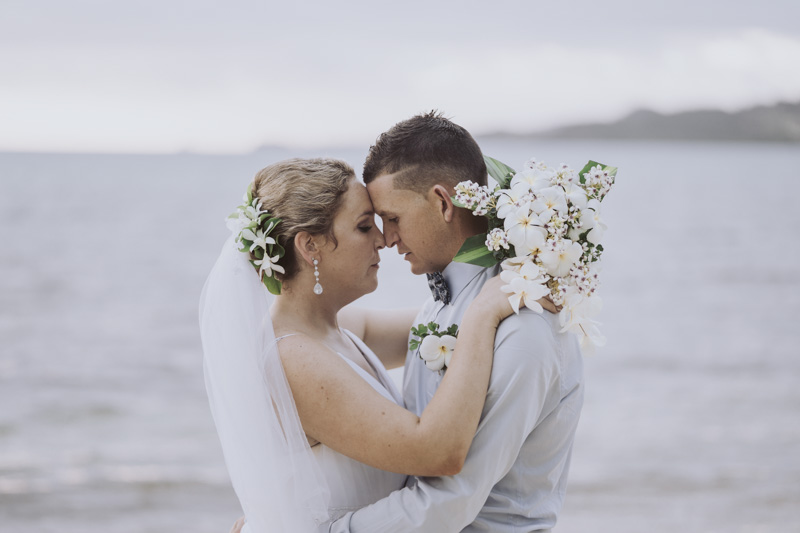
(515, 475)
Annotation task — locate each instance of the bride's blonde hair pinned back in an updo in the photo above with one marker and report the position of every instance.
(306, 195)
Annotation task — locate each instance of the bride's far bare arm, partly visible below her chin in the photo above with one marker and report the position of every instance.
(384, 331)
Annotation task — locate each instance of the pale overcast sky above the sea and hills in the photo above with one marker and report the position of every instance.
(165, 76)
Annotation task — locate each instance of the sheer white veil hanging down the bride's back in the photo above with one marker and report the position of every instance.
(276, 478)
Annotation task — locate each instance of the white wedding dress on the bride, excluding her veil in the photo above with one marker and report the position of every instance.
(352, 484)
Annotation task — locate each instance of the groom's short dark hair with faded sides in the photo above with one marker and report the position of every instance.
(423, 151)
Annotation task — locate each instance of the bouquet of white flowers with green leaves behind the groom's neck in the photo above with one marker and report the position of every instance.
(545, 230)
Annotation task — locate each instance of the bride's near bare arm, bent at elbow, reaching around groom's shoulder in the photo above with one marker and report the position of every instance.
(338, 408)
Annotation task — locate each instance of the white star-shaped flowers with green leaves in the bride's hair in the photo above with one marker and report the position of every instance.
(251, 226)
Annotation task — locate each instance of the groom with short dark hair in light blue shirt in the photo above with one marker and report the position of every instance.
(515, 476)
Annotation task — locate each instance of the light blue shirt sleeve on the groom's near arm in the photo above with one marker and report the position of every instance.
(523, 388)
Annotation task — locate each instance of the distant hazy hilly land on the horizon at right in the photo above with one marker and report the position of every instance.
(776, 123)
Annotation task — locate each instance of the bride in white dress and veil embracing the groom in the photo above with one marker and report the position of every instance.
(310, 423)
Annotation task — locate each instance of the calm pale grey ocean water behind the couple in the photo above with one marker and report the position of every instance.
(691, 414)
